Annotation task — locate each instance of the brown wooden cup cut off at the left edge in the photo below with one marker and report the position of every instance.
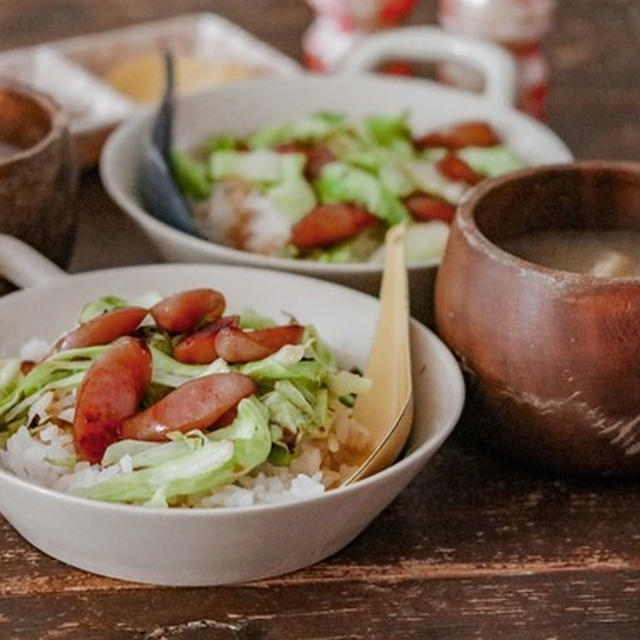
(37, 173)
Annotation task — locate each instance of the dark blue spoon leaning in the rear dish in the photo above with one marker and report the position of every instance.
(160, 193)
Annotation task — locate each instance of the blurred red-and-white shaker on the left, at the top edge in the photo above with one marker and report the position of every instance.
(341, 23)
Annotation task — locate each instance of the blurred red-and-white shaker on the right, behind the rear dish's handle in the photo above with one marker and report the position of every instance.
(518, 25)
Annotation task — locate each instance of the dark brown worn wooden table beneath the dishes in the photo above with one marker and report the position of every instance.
(476, 547)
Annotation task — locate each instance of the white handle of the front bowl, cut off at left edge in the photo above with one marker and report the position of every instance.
(24, 266)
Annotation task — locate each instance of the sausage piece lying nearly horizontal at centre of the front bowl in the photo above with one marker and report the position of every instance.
(195, 405)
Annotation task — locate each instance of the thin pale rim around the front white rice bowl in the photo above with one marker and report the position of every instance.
(444, 430)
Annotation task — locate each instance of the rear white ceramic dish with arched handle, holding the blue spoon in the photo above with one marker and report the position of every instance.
(244, 108)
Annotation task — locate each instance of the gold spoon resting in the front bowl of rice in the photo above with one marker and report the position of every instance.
(387, 411)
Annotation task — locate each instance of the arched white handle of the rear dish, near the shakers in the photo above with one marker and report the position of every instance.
(431, 44)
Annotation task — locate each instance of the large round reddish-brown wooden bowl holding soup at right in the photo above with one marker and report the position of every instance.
(553, 356)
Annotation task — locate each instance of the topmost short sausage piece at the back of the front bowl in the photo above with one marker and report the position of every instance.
(184, 311)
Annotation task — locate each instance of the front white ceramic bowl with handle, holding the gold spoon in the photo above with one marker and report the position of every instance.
(207, 547)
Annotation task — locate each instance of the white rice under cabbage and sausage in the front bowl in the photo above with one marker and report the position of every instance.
(46, 455)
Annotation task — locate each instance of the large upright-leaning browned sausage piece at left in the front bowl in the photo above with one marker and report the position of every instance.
(110, 391)
